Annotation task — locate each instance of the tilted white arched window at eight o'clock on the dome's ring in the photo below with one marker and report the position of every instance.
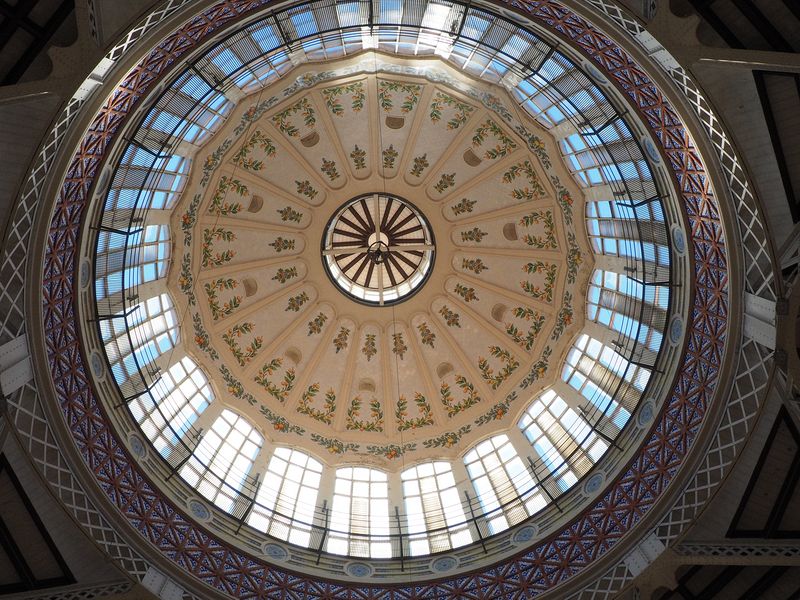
(174, 403)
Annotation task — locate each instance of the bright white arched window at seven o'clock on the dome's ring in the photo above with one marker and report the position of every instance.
(287, 496)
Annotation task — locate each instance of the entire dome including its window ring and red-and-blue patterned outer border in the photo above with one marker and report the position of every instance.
(392, 295)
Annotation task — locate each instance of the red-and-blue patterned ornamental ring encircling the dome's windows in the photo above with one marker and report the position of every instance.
(539, 568)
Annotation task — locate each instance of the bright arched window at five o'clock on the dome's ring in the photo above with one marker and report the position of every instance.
(499, 476)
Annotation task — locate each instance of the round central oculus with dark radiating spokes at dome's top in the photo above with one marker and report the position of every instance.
(378, 249)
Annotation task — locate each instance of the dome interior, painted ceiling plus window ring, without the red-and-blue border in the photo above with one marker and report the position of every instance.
(382, 283)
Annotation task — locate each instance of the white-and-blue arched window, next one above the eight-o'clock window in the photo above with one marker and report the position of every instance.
(135, 340)
